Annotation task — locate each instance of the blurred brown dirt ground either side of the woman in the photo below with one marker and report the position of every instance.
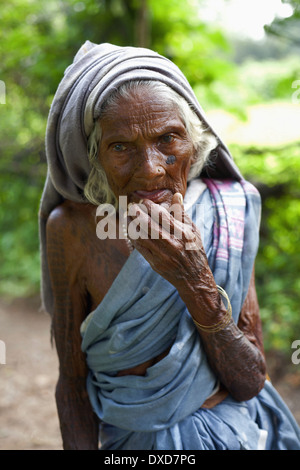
(28, 418)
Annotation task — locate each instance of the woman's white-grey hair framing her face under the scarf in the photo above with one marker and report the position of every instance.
(97, 190)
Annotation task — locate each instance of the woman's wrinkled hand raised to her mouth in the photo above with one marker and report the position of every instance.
(168, 240)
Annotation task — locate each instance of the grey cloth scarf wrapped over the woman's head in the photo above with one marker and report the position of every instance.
(98, 70)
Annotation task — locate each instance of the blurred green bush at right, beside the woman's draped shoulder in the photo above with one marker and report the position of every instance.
(276, 173)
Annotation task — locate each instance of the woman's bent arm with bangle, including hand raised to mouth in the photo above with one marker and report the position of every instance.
(237, 360)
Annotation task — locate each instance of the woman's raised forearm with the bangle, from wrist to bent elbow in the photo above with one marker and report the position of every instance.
(238, 363)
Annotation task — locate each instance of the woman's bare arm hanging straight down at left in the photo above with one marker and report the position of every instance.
(78, 423)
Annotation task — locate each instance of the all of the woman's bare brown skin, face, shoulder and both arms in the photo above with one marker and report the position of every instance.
(146, 154)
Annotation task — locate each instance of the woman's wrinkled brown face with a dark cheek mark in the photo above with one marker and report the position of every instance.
(145, 150)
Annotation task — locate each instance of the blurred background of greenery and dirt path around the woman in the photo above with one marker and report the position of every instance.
(242, 58)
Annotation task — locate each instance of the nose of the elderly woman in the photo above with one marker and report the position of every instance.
(149, 163)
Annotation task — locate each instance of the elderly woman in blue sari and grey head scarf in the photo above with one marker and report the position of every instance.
(158, 335)
